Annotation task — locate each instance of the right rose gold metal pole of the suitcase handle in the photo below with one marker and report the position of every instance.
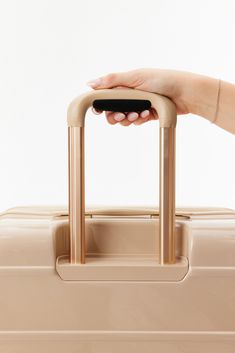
(167, 195)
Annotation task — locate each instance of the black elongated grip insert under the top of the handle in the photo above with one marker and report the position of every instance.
(122, 105)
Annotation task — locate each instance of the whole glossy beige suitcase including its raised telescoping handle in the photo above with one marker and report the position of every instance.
(118, 280)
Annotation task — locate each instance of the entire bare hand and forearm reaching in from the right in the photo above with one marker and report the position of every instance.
(191, 93)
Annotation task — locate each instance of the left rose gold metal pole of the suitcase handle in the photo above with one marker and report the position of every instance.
(76, 195)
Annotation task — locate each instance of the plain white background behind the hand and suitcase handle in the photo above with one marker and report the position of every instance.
(50, 48)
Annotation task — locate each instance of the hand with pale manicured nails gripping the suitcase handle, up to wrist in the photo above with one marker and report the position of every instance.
(166, 82)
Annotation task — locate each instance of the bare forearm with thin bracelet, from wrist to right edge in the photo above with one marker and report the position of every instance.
(201, 93)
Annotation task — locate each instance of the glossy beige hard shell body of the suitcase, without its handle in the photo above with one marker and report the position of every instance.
(192, 311)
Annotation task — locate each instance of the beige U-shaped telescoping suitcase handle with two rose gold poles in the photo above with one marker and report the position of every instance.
(121, 100)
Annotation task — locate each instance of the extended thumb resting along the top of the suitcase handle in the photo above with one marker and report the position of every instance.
(126, 79)
